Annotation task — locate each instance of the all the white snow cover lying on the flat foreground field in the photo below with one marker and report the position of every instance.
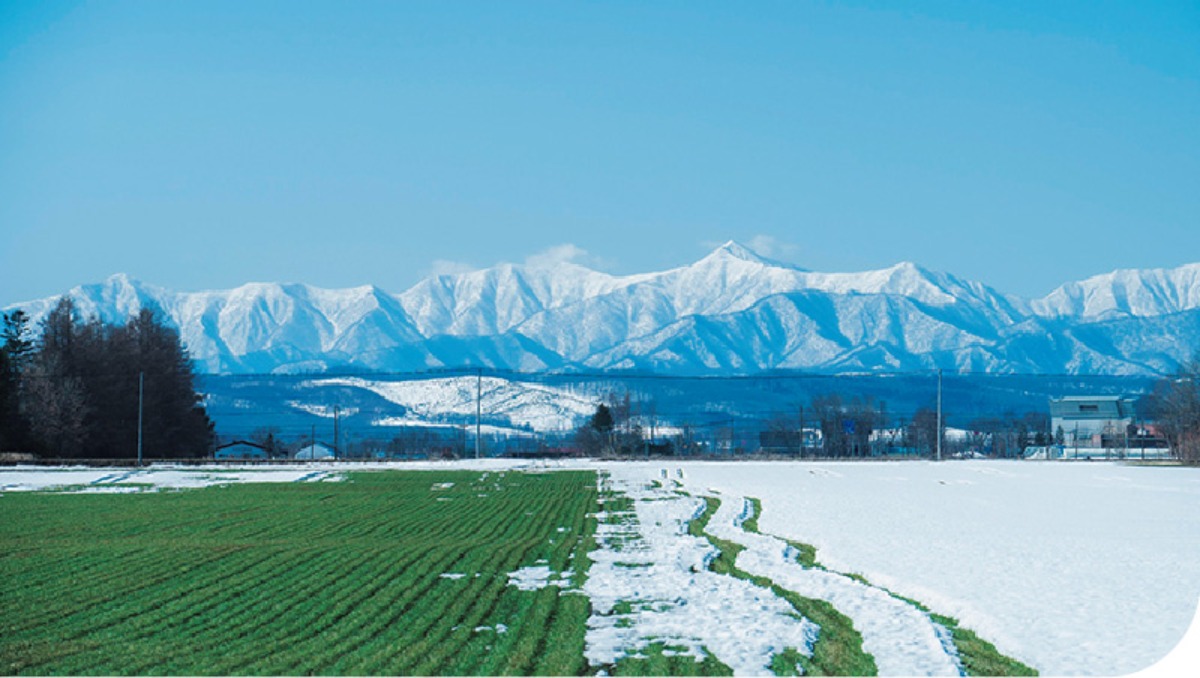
(1085, 568)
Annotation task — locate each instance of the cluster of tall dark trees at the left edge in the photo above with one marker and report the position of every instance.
(75, 392)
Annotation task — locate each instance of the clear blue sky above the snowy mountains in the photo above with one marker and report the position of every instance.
(207, 145)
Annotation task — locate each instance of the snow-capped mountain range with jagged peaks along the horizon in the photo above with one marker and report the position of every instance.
(730, 313)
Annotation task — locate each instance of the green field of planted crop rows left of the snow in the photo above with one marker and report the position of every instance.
(302, 579)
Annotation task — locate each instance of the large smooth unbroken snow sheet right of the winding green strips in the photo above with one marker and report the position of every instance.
(1073, 568)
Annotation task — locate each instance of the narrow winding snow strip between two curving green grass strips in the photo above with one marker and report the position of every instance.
(904, 640)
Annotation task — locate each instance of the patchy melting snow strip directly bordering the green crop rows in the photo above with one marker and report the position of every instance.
(650, 584)
